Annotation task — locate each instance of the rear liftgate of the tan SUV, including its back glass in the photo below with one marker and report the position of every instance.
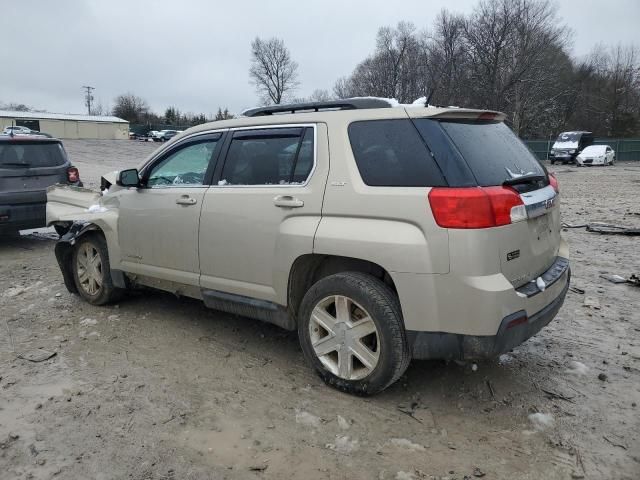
(487, 153)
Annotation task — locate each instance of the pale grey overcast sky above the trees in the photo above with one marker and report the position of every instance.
(195, 54)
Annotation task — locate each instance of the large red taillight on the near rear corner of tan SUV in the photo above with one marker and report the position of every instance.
(476, 207)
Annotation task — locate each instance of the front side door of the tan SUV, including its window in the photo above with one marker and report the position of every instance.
(158, 223)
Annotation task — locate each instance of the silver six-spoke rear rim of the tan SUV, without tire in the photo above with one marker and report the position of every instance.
(344, 337)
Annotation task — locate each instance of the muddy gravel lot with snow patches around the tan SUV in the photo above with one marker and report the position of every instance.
(159, 387)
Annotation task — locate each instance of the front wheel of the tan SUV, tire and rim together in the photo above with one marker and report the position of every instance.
(91, 270)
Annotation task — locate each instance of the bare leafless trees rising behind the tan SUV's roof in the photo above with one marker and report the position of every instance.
(506, 55)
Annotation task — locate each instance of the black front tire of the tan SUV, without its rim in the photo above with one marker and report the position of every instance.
(106, 292)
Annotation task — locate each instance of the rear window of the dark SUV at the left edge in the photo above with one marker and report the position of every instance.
(31, 155)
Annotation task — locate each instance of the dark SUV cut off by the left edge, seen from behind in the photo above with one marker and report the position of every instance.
(28, 165)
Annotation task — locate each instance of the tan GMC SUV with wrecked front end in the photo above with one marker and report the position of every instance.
(381, 234)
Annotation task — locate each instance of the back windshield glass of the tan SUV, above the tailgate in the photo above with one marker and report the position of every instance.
(491, 150)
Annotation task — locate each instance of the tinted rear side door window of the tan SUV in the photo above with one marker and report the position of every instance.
(269, 157)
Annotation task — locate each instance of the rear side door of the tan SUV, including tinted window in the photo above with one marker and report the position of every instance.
(263, 210)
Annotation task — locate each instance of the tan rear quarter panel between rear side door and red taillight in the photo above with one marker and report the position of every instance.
(390, 226)
